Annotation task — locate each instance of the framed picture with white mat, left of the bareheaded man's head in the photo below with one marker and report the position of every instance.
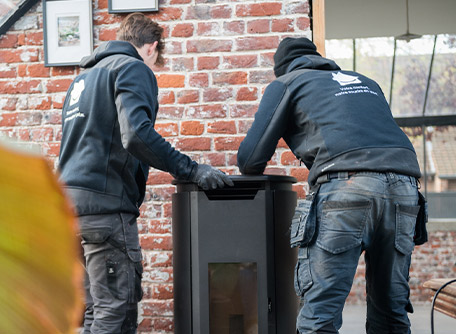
(67, 31)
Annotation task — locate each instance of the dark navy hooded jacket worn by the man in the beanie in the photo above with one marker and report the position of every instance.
(332, 120)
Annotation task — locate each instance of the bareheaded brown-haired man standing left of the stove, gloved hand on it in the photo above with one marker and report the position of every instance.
(108, 144)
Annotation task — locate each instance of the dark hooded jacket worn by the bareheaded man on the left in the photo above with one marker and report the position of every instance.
(108, 136)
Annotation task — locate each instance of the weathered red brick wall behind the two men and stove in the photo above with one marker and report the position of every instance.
(219, 60)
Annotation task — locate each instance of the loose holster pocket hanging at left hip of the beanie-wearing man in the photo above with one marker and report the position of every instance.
(303, 223)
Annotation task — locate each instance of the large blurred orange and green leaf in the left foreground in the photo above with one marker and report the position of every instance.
(40, 275)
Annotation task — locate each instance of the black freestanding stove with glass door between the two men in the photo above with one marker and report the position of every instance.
(233, 265)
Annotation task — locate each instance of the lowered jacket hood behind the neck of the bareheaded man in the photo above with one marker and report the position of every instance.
(108, 49)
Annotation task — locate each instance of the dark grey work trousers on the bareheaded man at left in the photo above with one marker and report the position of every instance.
(113, 273)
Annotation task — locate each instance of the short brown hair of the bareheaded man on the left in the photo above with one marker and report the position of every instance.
(138, 29)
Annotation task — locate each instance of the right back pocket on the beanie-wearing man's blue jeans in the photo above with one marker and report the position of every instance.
(405, 228)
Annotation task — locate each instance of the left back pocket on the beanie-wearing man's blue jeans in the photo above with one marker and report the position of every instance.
(342, 225)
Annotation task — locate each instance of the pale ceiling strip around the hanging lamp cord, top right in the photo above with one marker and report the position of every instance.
(384, 18)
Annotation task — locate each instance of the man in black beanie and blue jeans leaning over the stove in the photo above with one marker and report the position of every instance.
(363, 184)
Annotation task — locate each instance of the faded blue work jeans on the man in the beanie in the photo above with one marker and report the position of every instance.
(370, 212)
